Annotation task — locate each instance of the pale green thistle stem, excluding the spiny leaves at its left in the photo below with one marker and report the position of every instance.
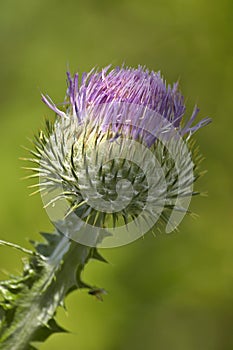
(59, 274)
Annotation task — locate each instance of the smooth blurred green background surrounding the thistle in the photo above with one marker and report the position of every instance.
(166, 292)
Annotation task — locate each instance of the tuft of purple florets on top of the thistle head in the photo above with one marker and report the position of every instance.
(123, 87)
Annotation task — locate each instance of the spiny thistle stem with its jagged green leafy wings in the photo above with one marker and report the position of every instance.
(29, 302)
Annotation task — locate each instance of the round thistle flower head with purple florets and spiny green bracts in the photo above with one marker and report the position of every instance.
(116, 160)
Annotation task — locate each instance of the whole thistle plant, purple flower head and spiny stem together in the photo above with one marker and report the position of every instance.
(118, 161)
